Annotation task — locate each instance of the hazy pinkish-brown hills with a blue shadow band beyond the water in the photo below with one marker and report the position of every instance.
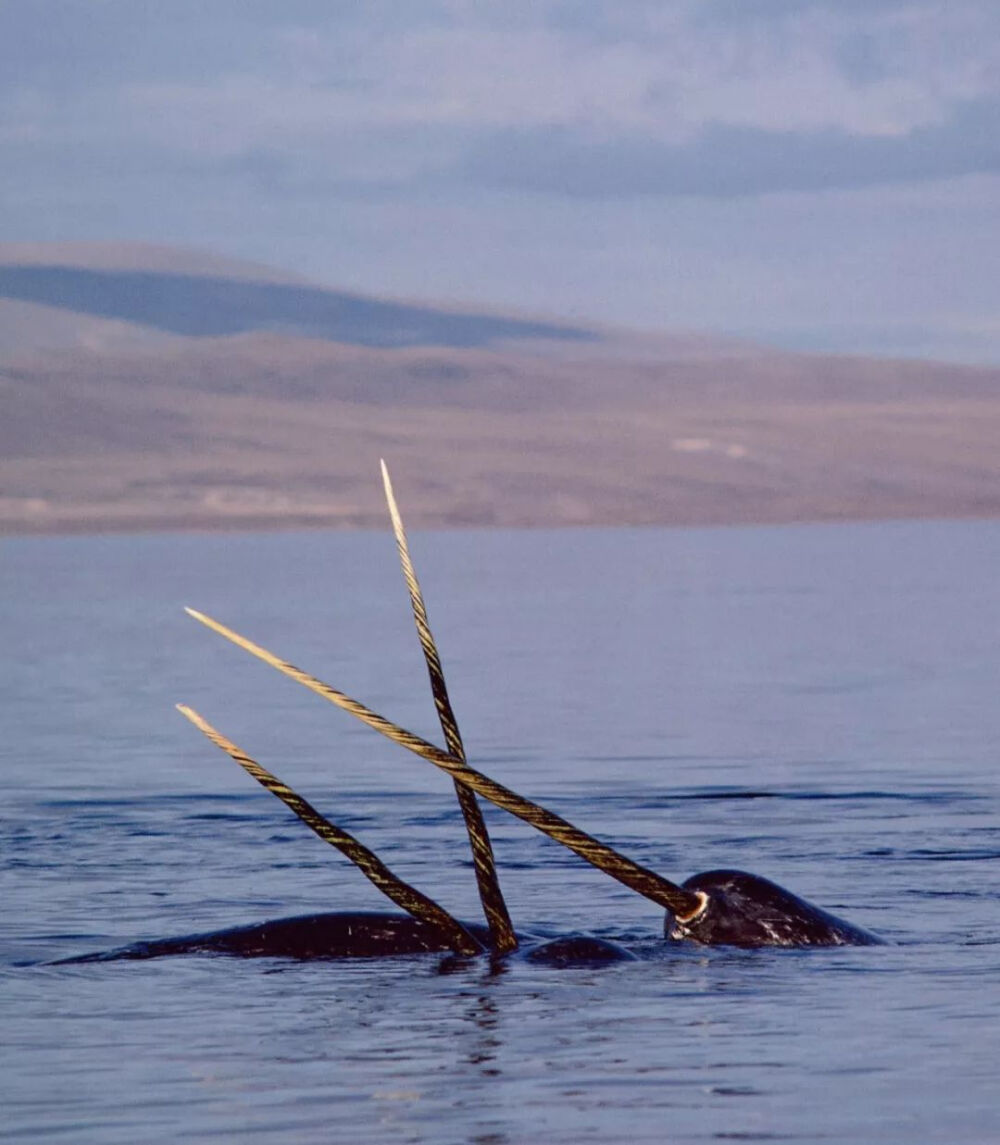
(156, 388)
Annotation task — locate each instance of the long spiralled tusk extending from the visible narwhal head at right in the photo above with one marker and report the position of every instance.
(639, 879)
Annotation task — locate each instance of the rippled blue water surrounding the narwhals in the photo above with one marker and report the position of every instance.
(818, 705)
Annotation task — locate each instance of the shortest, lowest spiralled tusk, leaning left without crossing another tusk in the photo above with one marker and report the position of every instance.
(405, 896)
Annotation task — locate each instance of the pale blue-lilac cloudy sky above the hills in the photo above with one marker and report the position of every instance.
(820, 175)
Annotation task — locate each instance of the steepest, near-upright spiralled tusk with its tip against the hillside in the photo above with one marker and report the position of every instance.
(491, 896)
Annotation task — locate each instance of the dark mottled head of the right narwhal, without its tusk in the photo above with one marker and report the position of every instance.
(747, 911)
